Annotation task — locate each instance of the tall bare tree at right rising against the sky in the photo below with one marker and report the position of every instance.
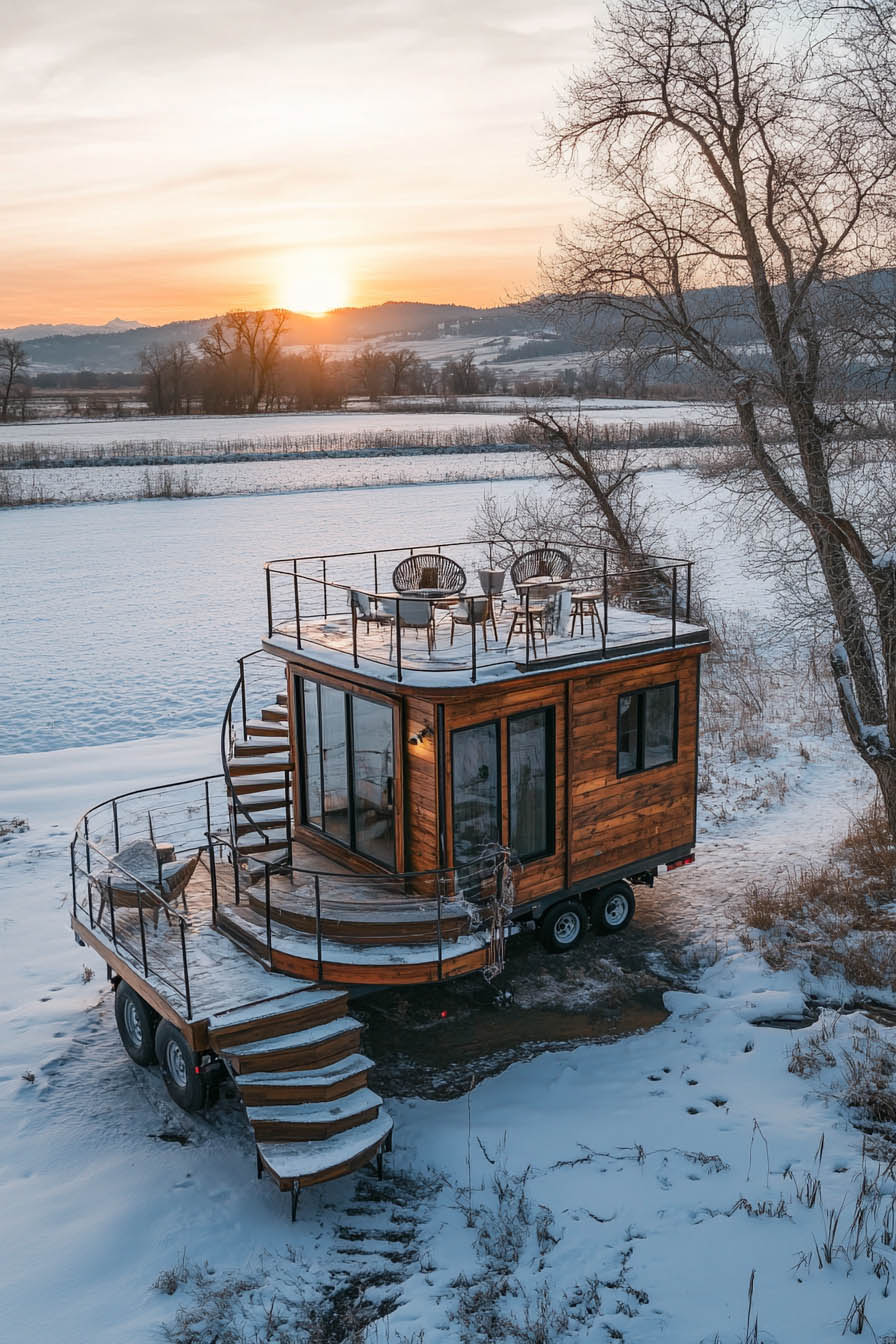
(745, 163)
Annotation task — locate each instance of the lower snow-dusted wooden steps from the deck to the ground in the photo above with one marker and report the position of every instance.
(299, 1070)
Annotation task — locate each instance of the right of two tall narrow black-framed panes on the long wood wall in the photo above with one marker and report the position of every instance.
(531, 783)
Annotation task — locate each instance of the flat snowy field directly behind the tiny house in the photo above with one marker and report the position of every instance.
(126, 620)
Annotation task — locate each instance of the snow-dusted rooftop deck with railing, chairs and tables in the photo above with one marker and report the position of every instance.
(350, 611)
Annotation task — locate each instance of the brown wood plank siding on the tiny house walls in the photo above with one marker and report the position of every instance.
(602, 823)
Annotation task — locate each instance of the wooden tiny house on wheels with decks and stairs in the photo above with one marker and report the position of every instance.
(433, 749)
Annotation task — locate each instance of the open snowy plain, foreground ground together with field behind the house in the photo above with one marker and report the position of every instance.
(655, 1189)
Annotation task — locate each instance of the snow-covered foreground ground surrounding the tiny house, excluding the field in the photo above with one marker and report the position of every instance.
(631, 1187)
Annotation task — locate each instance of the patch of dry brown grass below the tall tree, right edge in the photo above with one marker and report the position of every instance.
(836, 919)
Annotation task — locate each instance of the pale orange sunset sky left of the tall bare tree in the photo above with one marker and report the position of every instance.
(166, 161)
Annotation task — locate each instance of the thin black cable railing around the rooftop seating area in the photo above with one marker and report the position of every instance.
(314, 601)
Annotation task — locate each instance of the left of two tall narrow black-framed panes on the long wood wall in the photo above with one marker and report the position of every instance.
(476, 791)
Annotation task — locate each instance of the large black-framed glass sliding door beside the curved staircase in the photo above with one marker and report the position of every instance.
(349, 769)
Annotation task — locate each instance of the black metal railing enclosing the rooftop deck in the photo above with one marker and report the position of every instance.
(304, 593)
